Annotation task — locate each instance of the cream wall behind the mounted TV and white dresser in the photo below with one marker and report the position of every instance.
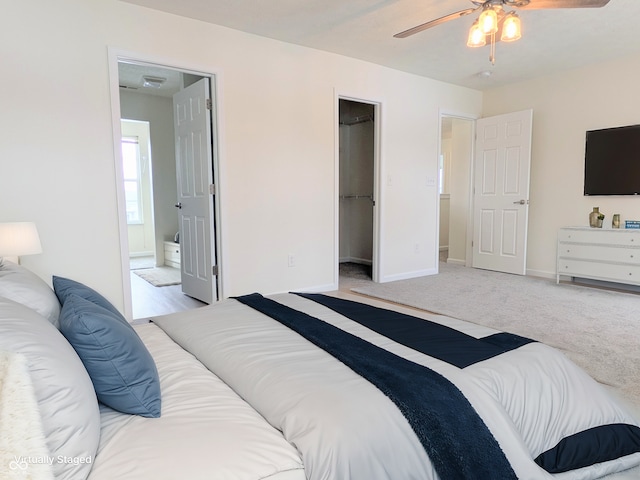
(564, 107)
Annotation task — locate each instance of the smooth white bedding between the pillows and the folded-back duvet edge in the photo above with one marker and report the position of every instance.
(205, 432)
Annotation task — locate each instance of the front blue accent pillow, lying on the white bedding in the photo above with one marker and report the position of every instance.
(121, 368)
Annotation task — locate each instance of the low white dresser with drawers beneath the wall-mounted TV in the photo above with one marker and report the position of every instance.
(610, 255)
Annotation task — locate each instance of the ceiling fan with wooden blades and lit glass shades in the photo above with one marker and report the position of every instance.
(494, 19)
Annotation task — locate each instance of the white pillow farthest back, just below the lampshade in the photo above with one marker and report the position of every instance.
(25, 287)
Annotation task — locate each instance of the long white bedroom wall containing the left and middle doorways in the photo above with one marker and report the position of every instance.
(277, 188)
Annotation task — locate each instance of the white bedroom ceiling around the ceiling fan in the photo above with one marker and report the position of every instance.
(552, 40)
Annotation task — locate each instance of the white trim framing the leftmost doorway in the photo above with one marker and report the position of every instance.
(115, 56)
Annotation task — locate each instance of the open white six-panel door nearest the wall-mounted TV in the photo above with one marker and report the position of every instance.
(501, 192)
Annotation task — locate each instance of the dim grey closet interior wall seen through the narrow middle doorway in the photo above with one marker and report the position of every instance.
(356, 181)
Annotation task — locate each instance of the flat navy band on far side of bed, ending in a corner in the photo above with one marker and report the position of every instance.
(433, 339)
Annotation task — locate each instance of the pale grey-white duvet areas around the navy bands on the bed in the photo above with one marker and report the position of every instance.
(344, 428)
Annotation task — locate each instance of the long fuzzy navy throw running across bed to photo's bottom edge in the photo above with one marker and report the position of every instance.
(452, 433)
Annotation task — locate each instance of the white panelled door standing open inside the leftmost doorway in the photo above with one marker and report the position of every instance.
(192, 122)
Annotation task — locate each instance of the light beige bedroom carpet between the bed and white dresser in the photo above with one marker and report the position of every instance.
(598, 329)
